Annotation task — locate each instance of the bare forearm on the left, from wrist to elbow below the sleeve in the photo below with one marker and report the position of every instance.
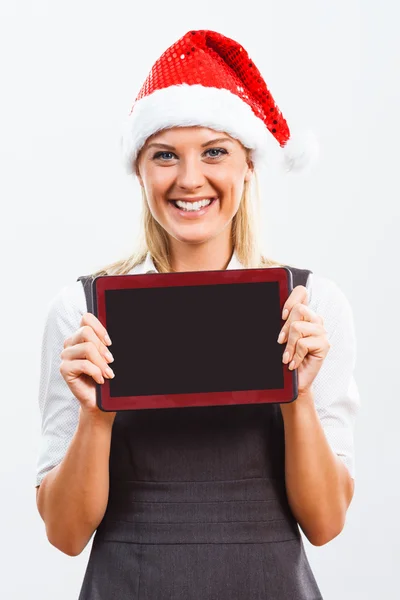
(73, 496)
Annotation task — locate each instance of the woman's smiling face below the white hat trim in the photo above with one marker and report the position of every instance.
(188, 164)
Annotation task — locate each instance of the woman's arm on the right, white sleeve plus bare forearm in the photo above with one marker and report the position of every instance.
(319, 449)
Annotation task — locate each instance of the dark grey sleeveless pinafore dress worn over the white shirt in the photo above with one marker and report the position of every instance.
(198, 508)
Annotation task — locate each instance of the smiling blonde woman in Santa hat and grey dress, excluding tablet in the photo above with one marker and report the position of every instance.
(199, 502)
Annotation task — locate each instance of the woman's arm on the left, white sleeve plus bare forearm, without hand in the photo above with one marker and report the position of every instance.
(72, 471)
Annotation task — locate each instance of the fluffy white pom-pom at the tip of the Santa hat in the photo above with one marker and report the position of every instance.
(300, 153)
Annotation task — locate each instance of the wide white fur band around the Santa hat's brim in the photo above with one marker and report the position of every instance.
(189, 105)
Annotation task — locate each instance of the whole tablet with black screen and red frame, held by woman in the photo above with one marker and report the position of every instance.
(200, 338)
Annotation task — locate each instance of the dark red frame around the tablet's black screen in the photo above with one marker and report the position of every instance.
(106, 402)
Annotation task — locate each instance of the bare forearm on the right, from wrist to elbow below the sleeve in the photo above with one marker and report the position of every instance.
(319, 485)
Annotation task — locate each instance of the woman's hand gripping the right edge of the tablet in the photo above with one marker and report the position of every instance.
(307, 342)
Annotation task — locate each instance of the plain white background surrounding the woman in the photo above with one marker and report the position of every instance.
(70, 72)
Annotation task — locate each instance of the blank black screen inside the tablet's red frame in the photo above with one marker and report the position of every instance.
(194, 339)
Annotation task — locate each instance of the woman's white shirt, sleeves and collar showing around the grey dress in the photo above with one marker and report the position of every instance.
(335, 391)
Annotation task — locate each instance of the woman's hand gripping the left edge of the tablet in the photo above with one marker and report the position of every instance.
(85, 360)
